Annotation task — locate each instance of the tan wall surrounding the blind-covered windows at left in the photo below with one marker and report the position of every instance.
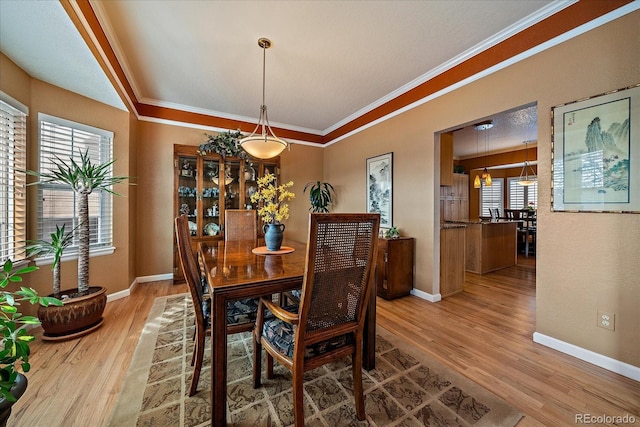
(41, 97)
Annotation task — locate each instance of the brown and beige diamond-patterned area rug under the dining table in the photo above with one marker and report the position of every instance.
(407, 388)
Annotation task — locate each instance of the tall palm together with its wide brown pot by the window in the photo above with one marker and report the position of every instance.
(83, 307)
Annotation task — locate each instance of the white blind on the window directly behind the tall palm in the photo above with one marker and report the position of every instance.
(62, 139)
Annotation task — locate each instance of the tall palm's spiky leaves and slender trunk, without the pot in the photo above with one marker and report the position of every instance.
(83, 178)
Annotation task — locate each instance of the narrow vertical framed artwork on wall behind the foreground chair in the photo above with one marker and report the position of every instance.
(380, 188)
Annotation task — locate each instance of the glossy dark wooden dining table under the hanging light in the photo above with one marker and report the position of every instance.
(235, 272)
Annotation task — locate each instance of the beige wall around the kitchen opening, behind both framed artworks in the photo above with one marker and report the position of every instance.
(585, 261)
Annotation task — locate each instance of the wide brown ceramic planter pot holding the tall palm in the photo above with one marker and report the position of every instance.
(76, 317)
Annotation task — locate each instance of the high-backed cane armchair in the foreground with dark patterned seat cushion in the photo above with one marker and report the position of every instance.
(329, 321)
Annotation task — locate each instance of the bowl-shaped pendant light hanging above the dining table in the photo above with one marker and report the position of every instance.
(264, 144)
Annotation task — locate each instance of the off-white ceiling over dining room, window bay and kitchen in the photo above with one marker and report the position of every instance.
(330, 61)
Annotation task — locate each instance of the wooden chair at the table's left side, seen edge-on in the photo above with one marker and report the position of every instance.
(241, 314)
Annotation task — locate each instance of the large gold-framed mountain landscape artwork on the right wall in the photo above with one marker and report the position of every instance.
(596, 153)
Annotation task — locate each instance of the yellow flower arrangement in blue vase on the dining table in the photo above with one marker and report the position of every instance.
(273, 208)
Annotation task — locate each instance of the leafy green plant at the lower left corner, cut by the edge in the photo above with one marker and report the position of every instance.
(14, 339)
